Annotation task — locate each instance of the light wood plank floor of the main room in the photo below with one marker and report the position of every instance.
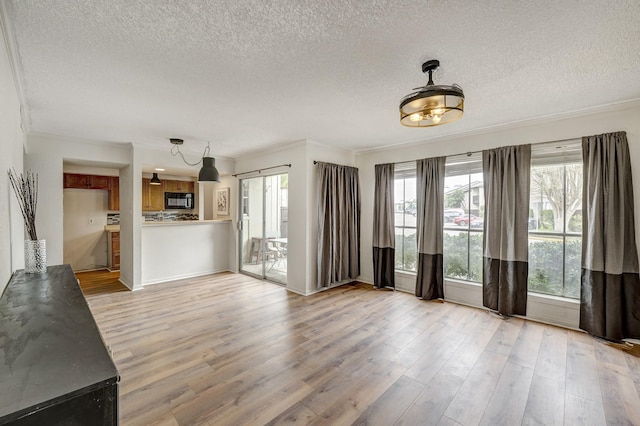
(232, 350)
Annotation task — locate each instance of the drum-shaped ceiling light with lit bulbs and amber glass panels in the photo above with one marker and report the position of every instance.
(432, 104)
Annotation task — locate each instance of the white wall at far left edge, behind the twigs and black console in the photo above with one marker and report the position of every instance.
(12, 141)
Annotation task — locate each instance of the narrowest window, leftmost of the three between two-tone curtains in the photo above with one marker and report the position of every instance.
(405, 216)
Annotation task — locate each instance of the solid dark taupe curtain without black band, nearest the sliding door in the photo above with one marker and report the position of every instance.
(338, 189)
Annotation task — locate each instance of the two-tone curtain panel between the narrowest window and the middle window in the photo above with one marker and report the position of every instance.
(430, 216)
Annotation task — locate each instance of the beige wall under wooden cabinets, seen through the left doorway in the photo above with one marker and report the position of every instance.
(85, 216)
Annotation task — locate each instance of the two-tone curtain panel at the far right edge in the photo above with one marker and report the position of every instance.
(610, 286)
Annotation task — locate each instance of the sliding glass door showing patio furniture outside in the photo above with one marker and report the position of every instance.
(263, 230)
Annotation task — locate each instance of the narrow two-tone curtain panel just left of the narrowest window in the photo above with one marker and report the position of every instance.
(383, 228)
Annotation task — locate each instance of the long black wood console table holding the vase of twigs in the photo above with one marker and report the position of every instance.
(54, 366)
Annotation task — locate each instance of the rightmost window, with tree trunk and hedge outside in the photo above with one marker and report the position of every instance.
(555, 221)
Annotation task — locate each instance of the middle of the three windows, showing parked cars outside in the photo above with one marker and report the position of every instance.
(463, 217)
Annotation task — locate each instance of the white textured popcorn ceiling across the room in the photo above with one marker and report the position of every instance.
(249, 74)
